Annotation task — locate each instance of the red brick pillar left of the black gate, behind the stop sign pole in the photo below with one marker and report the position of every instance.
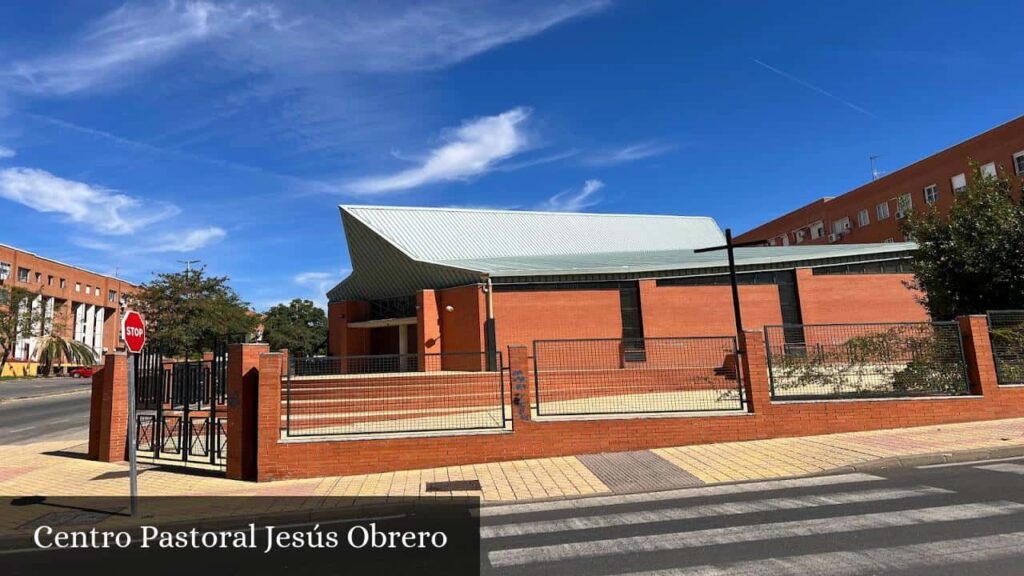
(112, 427)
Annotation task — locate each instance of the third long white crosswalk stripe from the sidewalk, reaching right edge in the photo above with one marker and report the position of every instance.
(753, 533)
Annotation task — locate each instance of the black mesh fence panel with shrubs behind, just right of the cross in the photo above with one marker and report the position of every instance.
(838, 361)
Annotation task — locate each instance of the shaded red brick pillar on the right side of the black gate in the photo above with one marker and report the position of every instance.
(243, 379)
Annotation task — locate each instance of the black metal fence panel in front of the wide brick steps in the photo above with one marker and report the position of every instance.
(400, 394)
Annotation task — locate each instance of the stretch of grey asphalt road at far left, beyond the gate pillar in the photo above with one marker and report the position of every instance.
(56, 409)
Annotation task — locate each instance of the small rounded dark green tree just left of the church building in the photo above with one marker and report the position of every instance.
(300, 326)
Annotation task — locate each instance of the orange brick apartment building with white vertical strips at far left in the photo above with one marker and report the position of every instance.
(82, 303)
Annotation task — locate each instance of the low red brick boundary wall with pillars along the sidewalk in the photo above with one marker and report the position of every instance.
(535, 439)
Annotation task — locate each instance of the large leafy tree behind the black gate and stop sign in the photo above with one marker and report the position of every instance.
(188, 312)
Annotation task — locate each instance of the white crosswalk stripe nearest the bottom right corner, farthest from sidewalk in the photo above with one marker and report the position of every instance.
(873, 561)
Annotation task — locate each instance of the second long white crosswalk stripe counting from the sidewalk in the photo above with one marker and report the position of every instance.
(729, 509)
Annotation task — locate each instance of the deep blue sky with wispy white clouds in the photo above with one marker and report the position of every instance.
(137, 135)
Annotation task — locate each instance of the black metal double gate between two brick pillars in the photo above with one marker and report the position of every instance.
(182, 407)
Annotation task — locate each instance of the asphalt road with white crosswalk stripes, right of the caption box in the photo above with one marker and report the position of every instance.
(965, 519)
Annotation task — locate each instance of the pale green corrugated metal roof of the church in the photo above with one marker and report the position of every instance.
(398, 252)
